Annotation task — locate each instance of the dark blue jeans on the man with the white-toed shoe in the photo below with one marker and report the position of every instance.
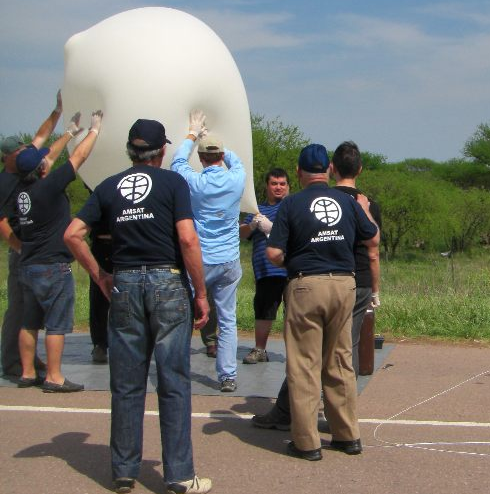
(151, 312)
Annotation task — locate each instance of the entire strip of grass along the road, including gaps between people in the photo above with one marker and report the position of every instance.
(422, 296)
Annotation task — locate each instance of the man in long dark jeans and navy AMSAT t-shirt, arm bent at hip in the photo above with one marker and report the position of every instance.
(148, 212)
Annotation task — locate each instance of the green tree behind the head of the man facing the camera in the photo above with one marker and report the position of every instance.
(275, 144)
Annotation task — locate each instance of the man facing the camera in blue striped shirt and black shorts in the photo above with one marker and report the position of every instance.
(269, 279)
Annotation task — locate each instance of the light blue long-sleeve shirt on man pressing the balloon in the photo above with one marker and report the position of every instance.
(215, 201)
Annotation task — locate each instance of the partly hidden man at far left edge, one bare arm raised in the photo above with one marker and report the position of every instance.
(12, 319)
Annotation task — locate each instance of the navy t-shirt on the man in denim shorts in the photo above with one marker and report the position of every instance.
(43, 210)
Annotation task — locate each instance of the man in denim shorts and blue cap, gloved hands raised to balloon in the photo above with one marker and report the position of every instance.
(43, 210)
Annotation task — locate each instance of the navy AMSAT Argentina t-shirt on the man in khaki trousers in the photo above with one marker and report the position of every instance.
(317, 228)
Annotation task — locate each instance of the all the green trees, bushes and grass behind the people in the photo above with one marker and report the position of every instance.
(435, 237)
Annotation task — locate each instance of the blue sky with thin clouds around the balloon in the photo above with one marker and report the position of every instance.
(406, 78)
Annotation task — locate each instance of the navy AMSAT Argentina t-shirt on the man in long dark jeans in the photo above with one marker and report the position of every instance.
(141, 206)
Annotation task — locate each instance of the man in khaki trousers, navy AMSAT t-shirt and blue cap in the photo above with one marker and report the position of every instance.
(313, 236)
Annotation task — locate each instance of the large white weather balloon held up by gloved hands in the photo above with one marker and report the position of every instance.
(157, 63)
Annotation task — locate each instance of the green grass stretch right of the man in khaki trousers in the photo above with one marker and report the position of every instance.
(436, 297)
